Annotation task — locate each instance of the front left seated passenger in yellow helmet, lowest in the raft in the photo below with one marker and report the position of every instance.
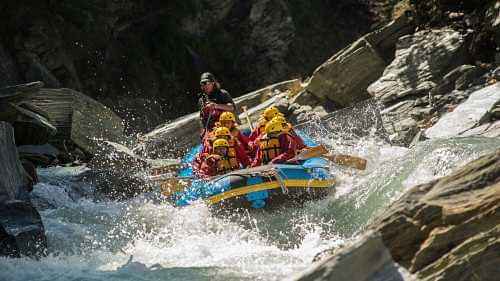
(219, 161)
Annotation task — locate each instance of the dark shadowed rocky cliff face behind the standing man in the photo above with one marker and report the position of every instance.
(141, 57)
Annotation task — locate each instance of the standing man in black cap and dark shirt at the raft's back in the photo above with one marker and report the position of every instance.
(213, 101)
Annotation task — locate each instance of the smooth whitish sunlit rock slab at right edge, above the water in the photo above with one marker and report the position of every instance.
(467, 115)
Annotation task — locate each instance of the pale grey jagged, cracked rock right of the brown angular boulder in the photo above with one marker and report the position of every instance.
(421, 60)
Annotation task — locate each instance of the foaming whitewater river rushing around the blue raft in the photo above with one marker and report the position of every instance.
(145, 238)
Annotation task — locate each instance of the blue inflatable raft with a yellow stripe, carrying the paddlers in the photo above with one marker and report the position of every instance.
(259, 187)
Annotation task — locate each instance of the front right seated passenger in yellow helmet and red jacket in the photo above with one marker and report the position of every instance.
(275, 146)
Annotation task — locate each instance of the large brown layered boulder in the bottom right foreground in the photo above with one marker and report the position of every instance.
(447, 229)
